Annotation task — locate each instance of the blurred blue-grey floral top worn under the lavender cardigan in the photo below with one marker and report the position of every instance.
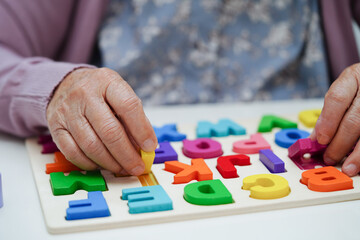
(186, 51)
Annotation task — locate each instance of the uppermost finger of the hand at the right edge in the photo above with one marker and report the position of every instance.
(337, 100)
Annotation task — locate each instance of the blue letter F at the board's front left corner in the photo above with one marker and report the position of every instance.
(93, 207)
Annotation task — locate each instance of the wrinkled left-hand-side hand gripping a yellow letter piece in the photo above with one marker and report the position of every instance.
(96, 119)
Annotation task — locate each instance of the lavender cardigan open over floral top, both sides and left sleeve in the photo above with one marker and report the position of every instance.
(41, 41)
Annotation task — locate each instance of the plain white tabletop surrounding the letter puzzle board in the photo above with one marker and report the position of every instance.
(21, 216)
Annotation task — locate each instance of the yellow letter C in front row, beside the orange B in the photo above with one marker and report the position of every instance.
(266, 186)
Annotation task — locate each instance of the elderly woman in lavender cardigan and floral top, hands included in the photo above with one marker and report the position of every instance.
(171, 52)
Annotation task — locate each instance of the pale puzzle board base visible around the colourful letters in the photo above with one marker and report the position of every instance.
(54, 207)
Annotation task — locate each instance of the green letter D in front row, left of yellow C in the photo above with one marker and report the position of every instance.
(212, 192)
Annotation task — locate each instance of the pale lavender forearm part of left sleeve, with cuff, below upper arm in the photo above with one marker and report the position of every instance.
(26, 85)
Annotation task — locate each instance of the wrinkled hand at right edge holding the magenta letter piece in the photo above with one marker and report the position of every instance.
(339, 122)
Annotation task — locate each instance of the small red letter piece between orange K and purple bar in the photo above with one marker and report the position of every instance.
(225, 164)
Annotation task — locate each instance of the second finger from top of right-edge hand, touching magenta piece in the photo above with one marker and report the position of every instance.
(347, 135)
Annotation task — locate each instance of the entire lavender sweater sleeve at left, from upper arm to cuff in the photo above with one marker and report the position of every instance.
(31, 35)
